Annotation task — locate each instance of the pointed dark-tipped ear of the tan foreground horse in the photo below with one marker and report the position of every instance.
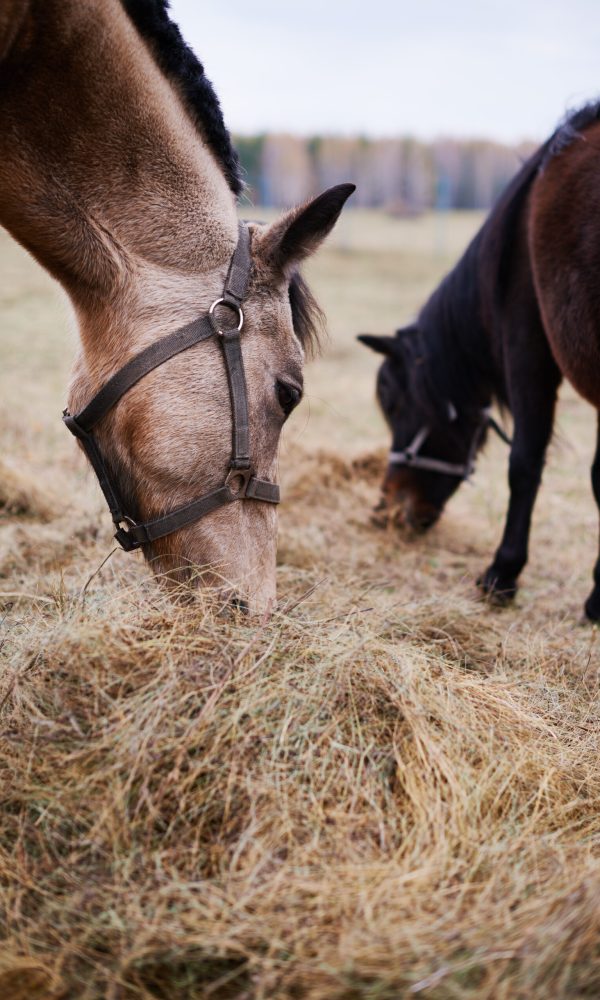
(300, 232)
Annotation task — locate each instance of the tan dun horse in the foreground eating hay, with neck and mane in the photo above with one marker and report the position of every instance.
(118, 175)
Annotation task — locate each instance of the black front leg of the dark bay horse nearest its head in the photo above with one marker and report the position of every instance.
(534, 381)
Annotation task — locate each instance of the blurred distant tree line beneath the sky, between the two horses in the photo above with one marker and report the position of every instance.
(402, 175)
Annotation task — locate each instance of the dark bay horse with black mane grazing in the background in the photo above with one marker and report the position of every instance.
(520, 311)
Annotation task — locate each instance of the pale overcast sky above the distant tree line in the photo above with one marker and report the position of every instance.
(507, 69)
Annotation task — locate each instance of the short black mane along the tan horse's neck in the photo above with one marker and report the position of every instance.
(177, 61)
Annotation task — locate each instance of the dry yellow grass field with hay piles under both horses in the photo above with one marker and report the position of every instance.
(389, 789)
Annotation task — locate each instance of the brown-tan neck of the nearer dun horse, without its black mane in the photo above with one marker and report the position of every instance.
(103, 176)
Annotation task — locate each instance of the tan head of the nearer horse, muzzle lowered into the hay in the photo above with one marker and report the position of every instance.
(198, 433)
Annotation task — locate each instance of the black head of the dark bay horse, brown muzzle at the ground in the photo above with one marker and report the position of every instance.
(433, 443)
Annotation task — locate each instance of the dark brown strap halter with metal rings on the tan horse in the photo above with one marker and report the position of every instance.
(240, 482)
